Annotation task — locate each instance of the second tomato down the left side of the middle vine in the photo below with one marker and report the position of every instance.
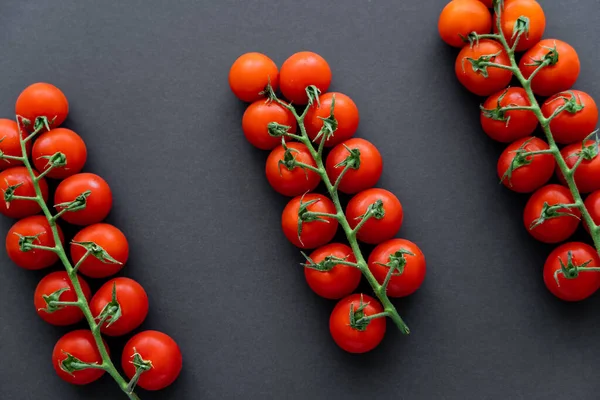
(256, 119)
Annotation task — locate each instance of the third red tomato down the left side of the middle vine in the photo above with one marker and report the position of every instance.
(295, 181)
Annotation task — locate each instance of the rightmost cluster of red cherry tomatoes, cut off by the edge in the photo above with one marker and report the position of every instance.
(571, 128)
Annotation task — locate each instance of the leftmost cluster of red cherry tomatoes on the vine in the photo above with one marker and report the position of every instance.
(99, 249)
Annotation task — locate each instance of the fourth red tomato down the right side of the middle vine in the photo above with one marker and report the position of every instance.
(381, 226)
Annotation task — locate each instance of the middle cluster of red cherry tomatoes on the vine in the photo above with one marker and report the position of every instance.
(294, 170)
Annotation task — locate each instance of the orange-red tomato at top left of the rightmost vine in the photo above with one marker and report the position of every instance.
(461, 17)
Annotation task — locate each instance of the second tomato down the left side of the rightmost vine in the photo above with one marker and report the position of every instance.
(473, 79)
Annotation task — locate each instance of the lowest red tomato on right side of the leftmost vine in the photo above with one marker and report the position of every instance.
(162, 351)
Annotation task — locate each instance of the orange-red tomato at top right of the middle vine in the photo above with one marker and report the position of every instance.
(301, 70)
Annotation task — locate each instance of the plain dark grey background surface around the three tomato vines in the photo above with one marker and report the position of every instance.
(147, 84)
